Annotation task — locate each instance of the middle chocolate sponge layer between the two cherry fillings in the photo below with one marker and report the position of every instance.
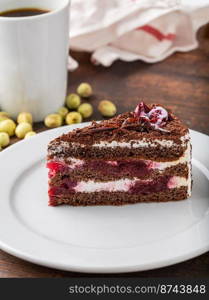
(108, 173)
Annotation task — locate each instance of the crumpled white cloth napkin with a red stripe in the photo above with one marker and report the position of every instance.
(129, 30)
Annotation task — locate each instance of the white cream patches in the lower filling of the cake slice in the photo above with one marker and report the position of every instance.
(122, 185)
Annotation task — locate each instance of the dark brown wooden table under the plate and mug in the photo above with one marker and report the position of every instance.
(181, 82)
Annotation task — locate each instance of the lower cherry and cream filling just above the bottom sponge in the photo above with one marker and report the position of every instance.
(136, 186)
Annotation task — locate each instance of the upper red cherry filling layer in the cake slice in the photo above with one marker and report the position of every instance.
(134, 168)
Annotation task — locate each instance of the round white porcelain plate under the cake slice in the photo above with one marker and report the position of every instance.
(100, 239)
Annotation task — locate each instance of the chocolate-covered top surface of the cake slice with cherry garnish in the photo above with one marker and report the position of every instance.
(145, 121)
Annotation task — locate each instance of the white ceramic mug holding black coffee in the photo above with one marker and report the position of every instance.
(33, 58)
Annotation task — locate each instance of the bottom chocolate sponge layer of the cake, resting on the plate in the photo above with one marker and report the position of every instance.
(118, 198)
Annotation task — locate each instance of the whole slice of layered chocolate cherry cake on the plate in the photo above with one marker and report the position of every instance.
(139, 156)
